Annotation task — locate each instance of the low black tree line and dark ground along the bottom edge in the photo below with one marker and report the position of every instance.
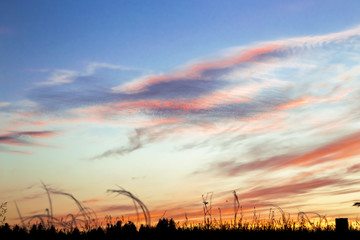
(164, 227)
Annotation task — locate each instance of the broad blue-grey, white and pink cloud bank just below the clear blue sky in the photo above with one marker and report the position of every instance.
(286, 87)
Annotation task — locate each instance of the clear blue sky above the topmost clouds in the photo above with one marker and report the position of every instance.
(158, 35)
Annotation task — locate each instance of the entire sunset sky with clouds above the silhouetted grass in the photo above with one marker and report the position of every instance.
(180, 102)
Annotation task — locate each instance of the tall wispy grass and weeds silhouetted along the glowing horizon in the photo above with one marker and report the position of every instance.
(85, 224)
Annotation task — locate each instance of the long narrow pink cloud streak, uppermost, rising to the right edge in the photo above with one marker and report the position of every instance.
(251, 54)
